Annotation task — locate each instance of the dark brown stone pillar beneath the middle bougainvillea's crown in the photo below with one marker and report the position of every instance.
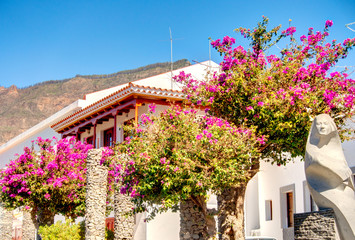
(192, 222)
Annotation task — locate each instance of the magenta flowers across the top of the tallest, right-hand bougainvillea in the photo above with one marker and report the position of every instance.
(239, 60)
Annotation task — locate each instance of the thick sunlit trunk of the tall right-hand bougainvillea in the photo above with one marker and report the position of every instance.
(231, 213)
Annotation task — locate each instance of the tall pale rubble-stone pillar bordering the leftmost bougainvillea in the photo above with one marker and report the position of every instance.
(96, 191)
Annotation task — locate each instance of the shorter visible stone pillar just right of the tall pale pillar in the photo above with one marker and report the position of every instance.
(124, 225)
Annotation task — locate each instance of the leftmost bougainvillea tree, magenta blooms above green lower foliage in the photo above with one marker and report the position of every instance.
(47, 181)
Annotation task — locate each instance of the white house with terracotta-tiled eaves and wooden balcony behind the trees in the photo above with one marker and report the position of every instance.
(273, 195)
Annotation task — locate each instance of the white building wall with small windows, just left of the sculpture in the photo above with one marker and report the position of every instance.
(277, 192)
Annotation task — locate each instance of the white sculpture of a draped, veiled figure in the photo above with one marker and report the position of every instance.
(328, 175)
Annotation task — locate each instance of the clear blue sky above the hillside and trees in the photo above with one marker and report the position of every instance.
(53, 40)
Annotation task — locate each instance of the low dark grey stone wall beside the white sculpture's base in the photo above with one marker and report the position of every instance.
(315, 225)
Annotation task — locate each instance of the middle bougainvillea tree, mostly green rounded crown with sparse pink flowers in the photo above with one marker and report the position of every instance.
(178, 156)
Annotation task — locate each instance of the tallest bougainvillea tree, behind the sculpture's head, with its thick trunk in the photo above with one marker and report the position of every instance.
(277, 95)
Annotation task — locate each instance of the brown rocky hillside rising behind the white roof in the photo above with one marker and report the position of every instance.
(21, 109)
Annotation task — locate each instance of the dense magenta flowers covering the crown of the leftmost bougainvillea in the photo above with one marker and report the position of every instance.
(55, 171)
